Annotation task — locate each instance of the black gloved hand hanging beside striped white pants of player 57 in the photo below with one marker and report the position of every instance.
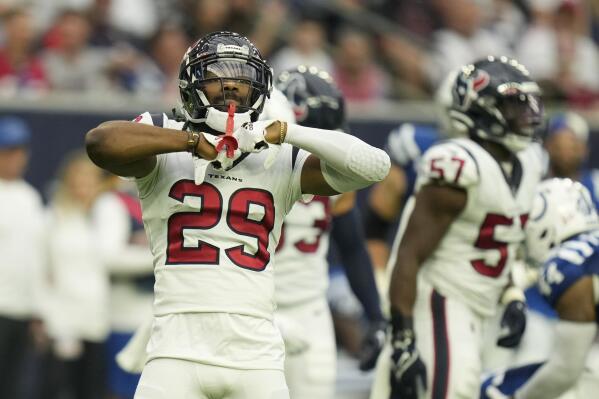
(408, 372)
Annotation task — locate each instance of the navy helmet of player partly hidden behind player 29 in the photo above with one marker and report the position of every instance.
(316, 100)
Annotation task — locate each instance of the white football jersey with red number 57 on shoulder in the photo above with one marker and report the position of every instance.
(473, 259)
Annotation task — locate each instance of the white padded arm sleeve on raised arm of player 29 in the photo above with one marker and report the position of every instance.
(347, 162)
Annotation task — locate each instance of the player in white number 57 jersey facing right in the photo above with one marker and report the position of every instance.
(462, 229)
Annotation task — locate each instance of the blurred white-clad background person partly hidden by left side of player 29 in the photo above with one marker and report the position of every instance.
(125, 251)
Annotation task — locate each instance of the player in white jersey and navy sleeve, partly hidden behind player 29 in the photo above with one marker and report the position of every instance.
(301, 275)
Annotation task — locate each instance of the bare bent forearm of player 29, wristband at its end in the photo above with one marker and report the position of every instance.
(122, 142)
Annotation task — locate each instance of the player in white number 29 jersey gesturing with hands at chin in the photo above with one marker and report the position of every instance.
(213, 218)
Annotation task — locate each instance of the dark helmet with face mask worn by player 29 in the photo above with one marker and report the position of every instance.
(219, 69)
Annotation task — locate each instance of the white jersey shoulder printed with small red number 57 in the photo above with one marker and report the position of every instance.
(449, 163)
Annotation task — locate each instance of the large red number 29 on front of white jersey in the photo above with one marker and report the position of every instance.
(238, 220)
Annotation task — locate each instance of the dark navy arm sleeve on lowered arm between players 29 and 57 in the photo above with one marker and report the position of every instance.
(348, 234)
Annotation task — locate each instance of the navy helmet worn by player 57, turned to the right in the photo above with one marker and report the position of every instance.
(495, 99)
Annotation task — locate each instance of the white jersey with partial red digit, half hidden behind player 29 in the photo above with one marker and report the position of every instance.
(301, 273)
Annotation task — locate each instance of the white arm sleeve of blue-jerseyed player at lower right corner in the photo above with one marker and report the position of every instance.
(566, 363)
